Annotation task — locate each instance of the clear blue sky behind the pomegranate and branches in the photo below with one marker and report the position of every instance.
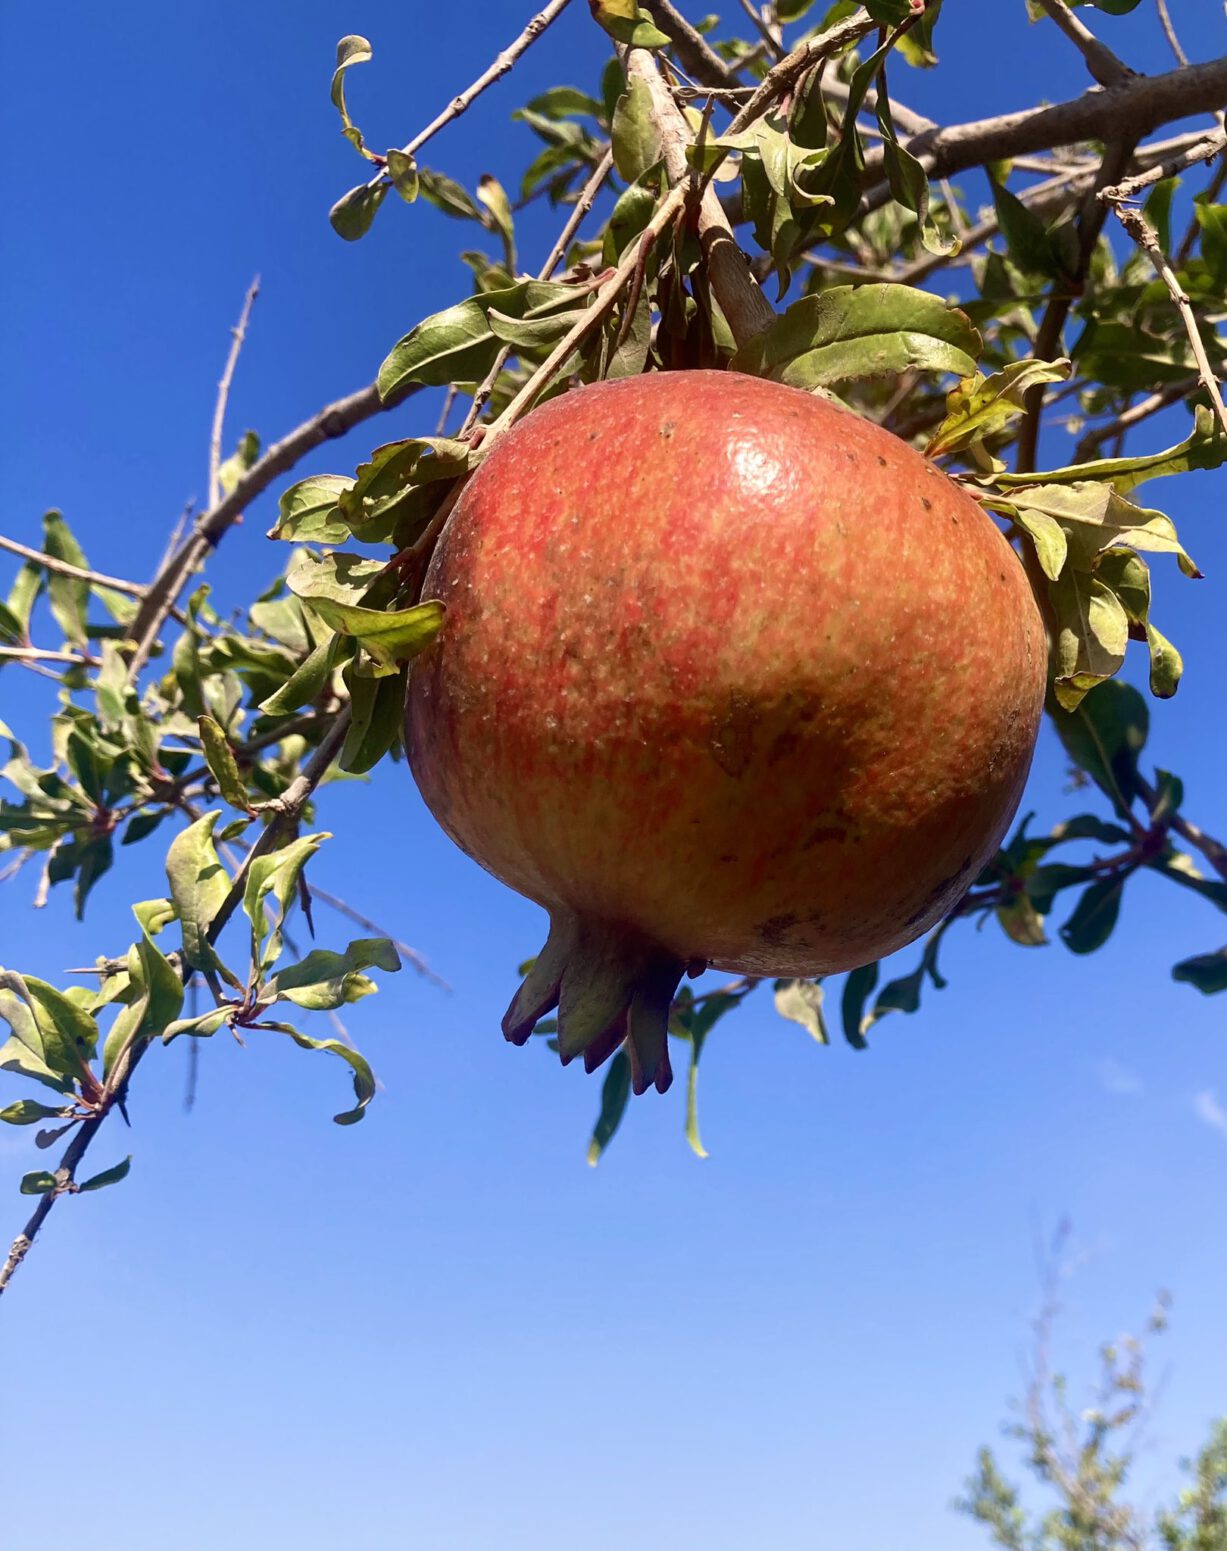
(441, 1328)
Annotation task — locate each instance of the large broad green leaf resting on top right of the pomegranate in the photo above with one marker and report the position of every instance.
(865, 331)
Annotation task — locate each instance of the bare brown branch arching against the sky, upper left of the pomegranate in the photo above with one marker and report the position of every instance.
(164, 592)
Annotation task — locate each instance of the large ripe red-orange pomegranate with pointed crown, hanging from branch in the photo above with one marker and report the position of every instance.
(730, 677)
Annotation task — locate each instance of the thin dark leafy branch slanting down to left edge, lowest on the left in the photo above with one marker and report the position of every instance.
(286, 812)
